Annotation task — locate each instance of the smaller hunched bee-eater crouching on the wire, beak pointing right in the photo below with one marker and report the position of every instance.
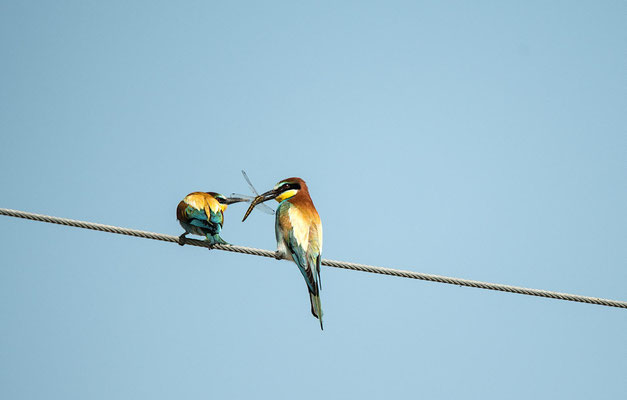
(202, 213)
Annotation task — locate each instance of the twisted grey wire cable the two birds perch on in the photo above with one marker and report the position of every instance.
(330, 263)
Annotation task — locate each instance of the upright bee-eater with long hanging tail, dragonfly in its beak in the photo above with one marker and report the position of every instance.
(298, 233)
